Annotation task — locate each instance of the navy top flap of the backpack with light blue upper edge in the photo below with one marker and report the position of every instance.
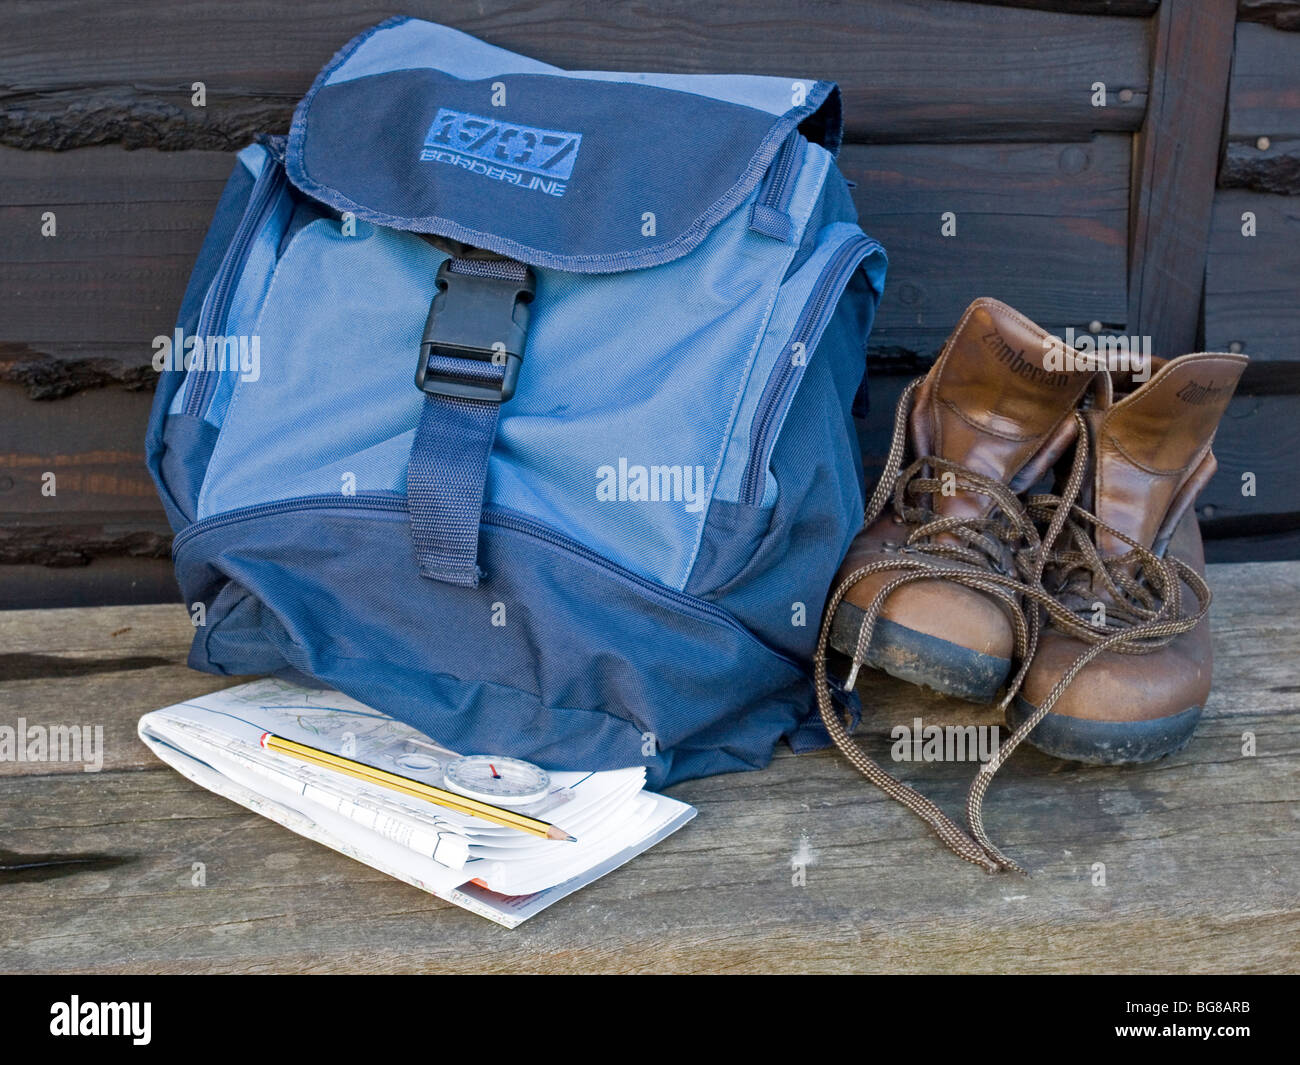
(422, 128)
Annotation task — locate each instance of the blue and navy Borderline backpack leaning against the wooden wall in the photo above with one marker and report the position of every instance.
(517, 404)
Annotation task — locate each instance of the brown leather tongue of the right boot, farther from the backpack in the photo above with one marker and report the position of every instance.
(1154, 447)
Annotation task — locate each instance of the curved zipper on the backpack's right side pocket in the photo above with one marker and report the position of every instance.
(812, 323)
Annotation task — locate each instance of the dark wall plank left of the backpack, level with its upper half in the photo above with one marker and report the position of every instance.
(129, 228)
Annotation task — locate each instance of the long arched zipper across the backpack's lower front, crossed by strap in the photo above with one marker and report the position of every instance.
(492, 517)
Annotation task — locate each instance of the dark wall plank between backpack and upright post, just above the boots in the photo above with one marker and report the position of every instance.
(1016, 209)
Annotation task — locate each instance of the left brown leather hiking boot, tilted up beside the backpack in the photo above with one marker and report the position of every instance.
(985, 425)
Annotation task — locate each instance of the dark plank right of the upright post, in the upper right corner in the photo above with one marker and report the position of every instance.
(1264, 112)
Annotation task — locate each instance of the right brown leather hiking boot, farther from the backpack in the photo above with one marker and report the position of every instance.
(1150, 458)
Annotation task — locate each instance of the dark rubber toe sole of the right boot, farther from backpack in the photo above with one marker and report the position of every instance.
(1106, 743)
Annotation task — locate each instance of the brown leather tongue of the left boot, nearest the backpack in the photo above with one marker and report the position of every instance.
(994, 405)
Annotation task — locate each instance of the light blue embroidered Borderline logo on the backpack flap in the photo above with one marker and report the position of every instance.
(527, 157)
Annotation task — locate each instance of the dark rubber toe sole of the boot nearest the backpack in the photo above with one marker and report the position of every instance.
(922, 660)
